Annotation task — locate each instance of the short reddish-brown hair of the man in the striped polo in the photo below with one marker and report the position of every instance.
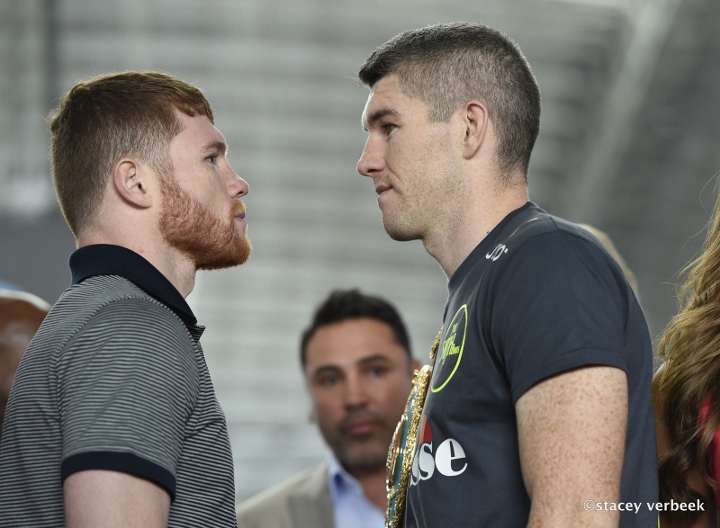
(105, 118)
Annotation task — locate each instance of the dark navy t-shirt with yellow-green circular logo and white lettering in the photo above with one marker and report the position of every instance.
(537, 297)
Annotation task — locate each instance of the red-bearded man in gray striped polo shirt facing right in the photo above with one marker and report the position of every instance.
(113, 419)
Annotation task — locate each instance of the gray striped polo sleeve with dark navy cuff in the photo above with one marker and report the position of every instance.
(126, 385)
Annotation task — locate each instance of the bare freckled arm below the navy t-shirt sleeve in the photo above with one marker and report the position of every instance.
(572, 403)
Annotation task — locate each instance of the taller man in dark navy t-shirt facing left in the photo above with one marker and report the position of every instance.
(538, 412)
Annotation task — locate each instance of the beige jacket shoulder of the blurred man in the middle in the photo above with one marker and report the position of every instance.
(272, 505)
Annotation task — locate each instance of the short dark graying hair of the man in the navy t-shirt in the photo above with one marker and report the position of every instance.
(447, 65)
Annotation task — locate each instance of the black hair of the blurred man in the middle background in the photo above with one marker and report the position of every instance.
(341, 305)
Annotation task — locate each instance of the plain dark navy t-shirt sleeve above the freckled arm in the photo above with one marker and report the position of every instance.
(560, 303)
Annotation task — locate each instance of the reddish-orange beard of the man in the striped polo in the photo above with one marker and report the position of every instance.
(190, 227)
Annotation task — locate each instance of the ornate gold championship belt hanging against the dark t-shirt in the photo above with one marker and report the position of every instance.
(400, 455)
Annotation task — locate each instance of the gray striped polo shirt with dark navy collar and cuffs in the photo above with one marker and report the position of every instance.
(116, 379)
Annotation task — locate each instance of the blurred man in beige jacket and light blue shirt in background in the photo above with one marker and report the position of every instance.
(357, 364)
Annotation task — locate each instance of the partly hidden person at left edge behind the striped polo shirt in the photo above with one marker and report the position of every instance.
(21, 314)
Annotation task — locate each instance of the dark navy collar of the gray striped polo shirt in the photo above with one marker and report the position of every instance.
(105, 259)
